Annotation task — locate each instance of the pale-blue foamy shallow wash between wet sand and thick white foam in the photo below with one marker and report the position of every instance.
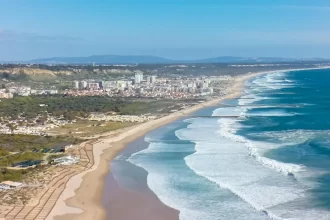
(180, 188)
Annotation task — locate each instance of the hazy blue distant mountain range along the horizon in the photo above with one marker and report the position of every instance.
(117, 59)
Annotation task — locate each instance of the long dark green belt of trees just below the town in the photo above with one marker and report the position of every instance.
(71, 107)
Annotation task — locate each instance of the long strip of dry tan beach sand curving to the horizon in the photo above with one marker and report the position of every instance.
(82, 196)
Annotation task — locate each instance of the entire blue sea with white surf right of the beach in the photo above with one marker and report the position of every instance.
(271, 161)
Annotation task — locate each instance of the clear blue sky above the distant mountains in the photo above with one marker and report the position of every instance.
(176, 29)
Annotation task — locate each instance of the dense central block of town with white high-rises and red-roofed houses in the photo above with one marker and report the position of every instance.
(149, 86)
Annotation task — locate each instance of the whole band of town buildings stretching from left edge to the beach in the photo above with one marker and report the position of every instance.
(138, 86)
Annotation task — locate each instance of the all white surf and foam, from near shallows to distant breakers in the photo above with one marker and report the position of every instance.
(233, 163)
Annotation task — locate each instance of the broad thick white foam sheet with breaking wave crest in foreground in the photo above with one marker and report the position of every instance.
(236, 164)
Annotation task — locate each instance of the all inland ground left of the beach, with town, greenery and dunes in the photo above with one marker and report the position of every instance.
(47, 125)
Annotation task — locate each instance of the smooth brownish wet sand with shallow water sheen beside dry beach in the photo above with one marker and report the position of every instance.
(126, 186)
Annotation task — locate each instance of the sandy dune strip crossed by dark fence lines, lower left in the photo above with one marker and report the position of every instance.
(50, 194)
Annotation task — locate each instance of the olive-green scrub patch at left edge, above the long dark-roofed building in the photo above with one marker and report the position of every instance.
(22, 143)
